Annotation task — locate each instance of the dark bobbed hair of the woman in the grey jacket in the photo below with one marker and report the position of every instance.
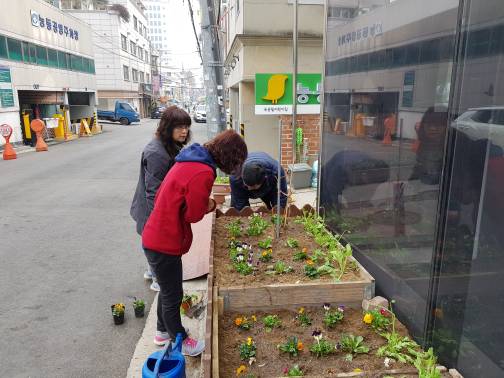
(173, 116)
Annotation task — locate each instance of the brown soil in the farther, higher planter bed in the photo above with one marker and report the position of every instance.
(225, 275)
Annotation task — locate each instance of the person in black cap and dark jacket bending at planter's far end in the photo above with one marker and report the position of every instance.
(258, 179)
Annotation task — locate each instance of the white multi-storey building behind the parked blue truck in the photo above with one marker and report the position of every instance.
(122, 52)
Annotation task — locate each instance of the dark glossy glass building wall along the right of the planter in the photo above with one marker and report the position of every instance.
(412, 164)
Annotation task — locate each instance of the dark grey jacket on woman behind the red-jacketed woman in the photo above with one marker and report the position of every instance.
(154, 166)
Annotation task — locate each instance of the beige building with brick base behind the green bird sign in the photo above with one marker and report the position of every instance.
(257, 38)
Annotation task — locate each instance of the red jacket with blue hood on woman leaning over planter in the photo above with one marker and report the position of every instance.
(181, 200)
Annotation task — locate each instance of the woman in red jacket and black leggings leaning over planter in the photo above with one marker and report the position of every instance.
(182, 199)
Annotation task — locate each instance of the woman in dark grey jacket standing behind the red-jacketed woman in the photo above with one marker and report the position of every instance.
(157, 158)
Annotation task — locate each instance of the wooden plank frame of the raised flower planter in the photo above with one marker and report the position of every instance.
(273, 296)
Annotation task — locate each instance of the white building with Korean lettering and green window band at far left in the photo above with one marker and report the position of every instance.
(47, 67)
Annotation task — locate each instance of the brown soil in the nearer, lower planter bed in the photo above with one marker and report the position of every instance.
(270, 362)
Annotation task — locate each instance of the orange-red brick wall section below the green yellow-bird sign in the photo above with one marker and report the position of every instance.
(310, 123)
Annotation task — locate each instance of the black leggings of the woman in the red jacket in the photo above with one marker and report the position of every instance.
(168, 270)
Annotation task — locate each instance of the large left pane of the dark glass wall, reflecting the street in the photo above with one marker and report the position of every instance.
(386, 94)
